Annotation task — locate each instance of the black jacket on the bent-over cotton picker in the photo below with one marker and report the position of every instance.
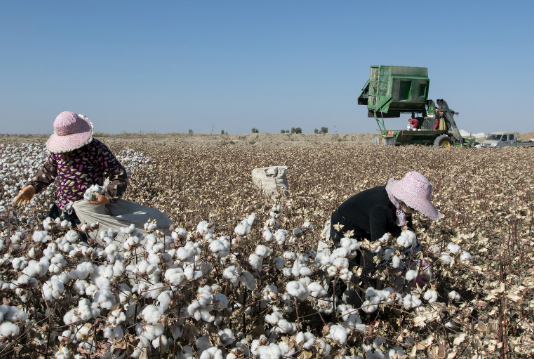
(370, 214)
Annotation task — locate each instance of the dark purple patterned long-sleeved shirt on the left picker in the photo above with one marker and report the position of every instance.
(78, 170)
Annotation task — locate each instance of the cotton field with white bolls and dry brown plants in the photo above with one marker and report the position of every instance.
(242, 276)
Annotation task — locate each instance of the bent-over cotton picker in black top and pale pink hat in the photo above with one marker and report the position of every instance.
(383, 209)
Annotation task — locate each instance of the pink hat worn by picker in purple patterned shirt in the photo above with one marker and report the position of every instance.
(71, 131)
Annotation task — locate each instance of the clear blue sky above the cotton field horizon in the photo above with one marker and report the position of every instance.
(171, 66)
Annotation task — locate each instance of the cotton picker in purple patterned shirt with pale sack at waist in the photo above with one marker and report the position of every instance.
(79, 161)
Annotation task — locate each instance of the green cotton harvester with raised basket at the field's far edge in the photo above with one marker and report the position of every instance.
(392, 90)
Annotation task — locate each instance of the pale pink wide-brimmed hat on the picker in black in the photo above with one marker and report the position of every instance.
(415, 190)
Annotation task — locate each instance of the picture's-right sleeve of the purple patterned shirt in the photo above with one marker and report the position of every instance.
(114, 171)
